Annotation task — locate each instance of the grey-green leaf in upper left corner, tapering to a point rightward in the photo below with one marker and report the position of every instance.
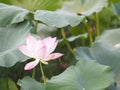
(11, 14)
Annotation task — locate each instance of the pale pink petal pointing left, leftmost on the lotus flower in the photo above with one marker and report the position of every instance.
(25, 51)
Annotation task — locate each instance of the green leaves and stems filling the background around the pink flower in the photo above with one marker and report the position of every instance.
(87, 30)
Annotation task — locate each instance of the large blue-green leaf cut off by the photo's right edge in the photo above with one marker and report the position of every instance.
(106, 50)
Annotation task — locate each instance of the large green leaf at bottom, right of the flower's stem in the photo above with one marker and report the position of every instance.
(86, 75)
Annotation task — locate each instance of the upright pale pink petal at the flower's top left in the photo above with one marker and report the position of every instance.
(31, 41)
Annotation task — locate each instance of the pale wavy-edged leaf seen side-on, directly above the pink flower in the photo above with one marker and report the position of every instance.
(57, 19)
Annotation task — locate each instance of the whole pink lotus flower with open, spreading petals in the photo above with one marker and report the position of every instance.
(40, 50)
